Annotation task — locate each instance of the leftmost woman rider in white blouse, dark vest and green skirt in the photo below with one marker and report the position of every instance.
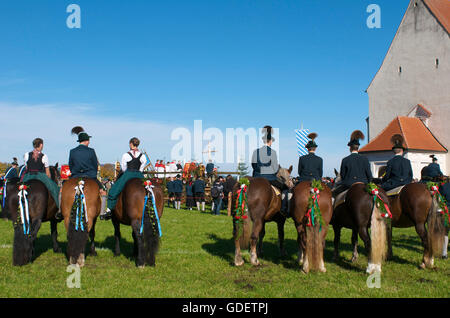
(37, 168)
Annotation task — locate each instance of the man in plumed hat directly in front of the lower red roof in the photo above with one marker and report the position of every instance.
(398, 169)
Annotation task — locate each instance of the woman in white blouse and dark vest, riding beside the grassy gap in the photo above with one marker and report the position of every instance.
(133, 164)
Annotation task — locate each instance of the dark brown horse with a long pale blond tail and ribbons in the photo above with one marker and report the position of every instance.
(359, 212)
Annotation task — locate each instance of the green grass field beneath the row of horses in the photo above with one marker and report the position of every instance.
(196, 260)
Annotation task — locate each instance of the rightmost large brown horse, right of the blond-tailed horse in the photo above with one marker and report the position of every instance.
(414, 206)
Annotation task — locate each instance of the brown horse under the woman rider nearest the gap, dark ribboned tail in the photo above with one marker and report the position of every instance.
(129, 211)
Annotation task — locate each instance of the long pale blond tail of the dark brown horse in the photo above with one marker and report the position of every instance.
(377, 236)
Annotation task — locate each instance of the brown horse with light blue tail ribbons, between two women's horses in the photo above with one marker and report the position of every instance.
(80, 225)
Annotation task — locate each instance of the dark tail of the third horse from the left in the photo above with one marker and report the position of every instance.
(151, 237)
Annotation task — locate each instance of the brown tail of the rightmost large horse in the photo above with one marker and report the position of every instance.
(436, 228)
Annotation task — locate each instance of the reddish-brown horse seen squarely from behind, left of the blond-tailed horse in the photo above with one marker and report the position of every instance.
(311, 239)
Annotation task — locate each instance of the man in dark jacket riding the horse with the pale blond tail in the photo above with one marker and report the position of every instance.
(355, 167)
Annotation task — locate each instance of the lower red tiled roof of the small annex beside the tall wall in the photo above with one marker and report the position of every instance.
(417, 136)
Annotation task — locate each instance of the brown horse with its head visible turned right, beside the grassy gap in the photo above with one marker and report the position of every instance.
(264, 205)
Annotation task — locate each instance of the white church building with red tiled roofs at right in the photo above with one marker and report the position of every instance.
(410, 93)
